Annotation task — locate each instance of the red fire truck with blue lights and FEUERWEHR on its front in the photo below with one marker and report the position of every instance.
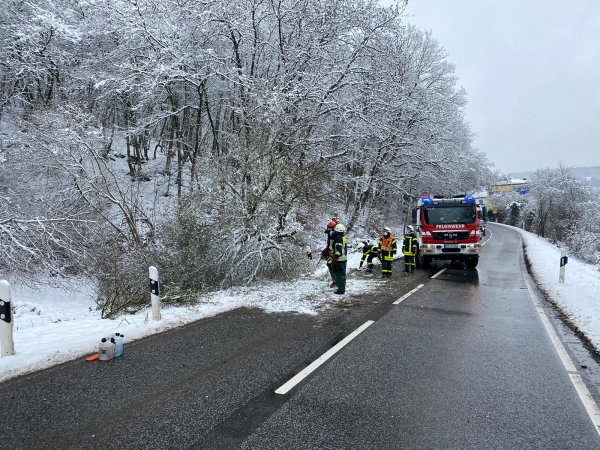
(447, 228)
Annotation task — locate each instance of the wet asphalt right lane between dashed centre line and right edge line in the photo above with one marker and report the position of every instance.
(464, 362)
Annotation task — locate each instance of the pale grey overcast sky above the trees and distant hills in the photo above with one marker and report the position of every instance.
(531, 69)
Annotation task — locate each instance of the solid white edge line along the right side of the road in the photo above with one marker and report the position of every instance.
(584, 394)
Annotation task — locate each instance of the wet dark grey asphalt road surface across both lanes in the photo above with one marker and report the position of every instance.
(464, 362)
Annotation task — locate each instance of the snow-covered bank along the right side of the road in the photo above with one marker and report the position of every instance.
(579, 296)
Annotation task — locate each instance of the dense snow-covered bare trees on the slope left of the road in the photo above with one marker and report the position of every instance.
(262, 113)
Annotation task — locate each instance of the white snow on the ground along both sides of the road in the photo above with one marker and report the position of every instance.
(54, 325)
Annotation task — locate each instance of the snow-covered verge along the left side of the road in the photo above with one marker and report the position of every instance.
(54, 325)
